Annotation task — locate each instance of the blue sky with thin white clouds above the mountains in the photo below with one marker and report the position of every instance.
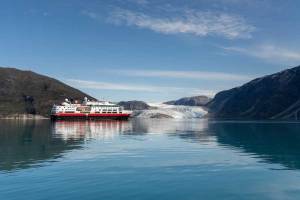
(150, 50)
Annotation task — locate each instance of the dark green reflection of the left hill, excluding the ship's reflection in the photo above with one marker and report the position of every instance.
(28, 143)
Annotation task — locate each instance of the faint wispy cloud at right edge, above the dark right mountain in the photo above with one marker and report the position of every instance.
(269, 52)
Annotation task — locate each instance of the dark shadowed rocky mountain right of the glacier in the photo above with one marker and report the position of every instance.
(275, 96)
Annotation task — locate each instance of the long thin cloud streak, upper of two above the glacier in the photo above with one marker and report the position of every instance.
(199, 75)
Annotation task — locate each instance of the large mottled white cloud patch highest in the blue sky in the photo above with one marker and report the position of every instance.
(189, 21)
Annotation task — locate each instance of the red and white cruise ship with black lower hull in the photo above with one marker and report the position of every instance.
(88, 110)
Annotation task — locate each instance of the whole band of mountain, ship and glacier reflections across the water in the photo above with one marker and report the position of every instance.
(25, 144)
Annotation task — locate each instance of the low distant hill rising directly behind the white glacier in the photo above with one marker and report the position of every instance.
(190, 101)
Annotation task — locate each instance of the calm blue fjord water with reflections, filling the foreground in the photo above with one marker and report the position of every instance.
(152, 159)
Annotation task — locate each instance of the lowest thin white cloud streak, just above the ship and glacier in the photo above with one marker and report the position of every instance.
(139, 88)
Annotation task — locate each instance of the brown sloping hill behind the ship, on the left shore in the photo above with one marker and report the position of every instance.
(26, 92)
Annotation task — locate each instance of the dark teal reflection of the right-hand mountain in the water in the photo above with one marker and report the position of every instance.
(271, 142)
